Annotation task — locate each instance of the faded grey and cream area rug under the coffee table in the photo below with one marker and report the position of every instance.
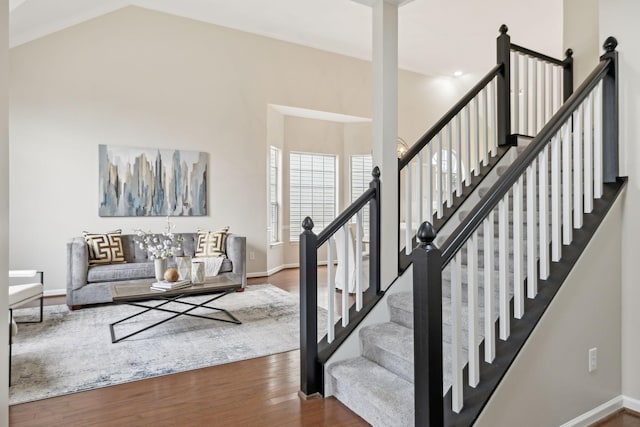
(71, 351)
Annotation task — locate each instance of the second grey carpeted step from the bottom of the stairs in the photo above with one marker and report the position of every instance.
(390, 345)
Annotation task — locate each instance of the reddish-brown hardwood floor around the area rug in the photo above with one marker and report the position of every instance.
(256, 392)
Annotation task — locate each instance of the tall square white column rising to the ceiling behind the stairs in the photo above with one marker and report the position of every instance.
(385, 125)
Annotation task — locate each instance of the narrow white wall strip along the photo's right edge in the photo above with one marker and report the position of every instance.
(619, 18)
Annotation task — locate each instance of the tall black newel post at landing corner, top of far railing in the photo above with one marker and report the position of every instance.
(504, 87)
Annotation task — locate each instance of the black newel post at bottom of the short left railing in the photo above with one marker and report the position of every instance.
(310, 372)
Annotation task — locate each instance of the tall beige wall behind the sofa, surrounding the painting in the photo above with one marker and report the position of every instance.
(141, 78)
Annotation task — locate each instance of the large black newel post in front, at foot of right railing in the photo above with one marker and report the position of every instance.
(427, 321)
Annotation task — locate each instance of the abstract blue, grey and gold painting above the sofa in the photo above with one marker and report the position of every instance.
(152, 182)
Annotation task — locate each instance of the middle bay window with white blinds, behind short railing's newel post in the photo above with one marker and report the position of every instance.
(312, 191)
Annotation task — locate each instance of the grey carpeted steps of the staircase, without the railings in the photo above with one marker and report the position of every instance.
(378, 385)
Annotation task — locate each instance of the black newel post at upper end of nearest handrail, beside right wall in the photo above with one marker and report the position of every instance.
(610, 112)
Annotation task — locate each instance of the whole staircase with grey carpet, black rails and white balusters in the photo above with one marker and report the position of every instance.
(515, 231)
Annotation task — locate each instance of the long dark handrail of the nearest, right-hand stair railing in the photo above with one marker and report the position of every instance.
(464, 231)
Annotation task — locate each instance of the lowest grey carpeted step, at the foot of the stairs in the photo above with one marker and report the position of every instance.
(379, 396)
